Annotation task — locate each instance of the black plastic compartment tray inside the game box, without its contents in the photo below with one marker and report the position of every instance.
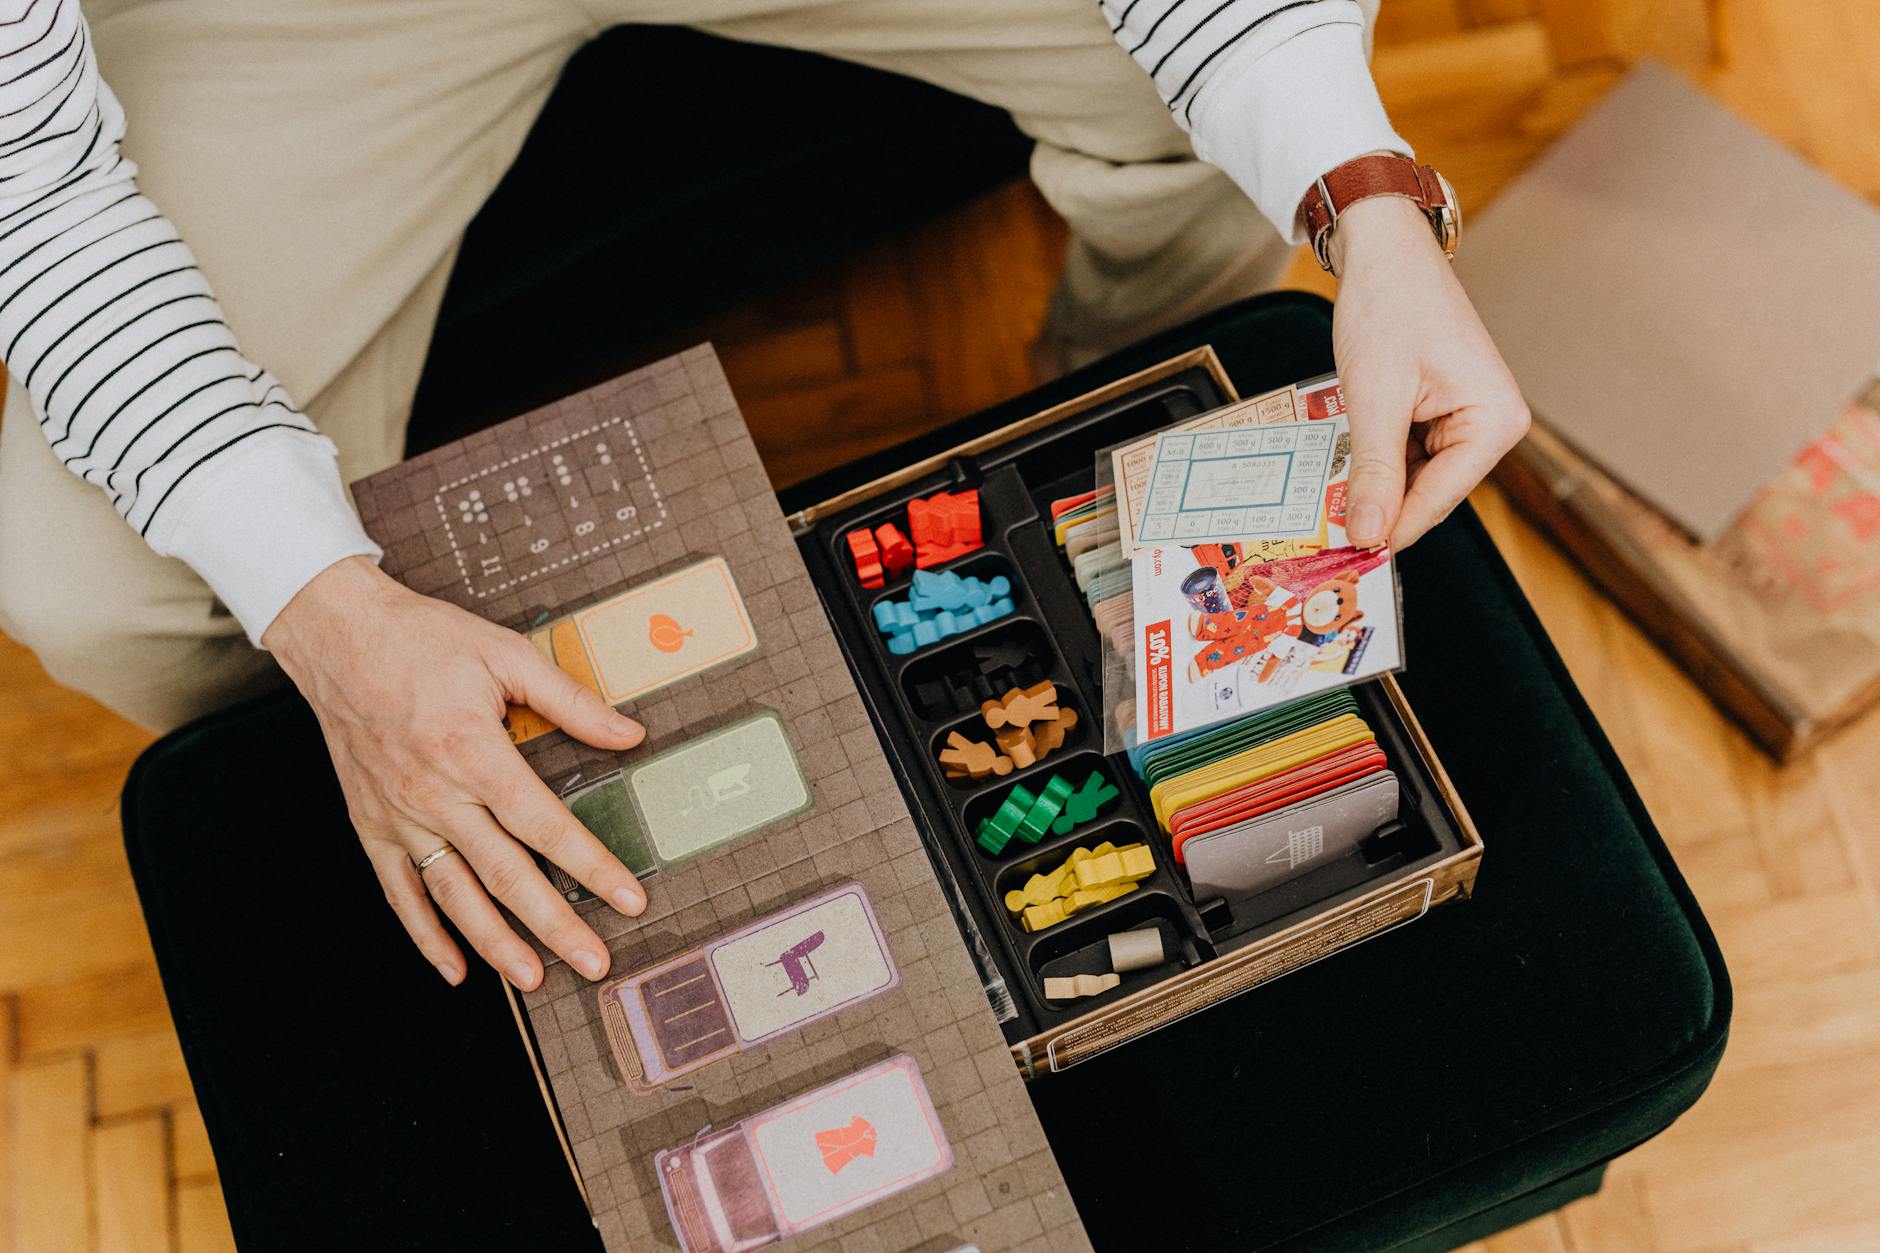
(1016, 484)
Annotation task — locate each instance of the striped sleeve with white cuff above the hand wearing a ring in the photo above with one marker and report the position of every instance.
(114, 332)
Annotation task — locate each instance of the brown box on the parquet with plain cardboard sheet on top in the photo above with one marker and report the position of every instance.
(1691, 311)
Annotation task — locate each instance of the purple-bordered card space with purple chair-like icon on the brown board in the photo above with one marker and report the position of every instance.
(749, 987)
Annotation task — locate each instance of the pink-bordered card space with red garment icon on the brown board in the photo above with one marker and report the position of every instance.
(806, 1164)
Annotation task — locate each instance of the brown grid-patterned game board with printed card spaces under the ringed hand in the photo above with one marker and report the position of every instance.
(651, 486)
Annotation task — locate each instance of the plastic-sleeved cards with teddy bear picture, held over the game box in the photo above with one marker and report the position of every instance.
(1219, 571)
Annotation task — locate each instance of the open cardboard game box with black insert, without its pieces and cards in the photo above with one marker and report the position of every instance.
(1428, 859)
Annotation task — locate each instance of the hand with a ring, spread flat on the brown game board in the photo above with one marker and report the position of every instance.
(411, 695)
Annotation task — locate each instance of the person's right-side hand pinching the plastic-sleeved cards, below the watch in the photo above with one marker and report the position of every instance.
(1430, 400)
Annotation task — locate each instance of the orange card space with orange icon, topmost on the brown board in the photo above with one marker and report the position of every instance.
(646, 639)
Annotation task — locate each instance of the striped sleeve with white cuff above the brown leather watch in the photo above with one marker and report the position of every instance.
(1274, 91)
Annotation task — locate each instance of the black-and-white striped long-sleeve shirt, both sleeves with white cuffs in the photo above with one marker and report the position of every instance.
(144, 392)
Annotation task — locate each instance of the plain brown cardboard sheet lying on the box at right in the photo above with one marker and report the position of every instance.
(1682, 300)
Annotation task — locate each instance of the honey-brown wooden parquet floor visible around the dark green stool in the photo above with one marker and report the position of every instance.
(101, 1143)
